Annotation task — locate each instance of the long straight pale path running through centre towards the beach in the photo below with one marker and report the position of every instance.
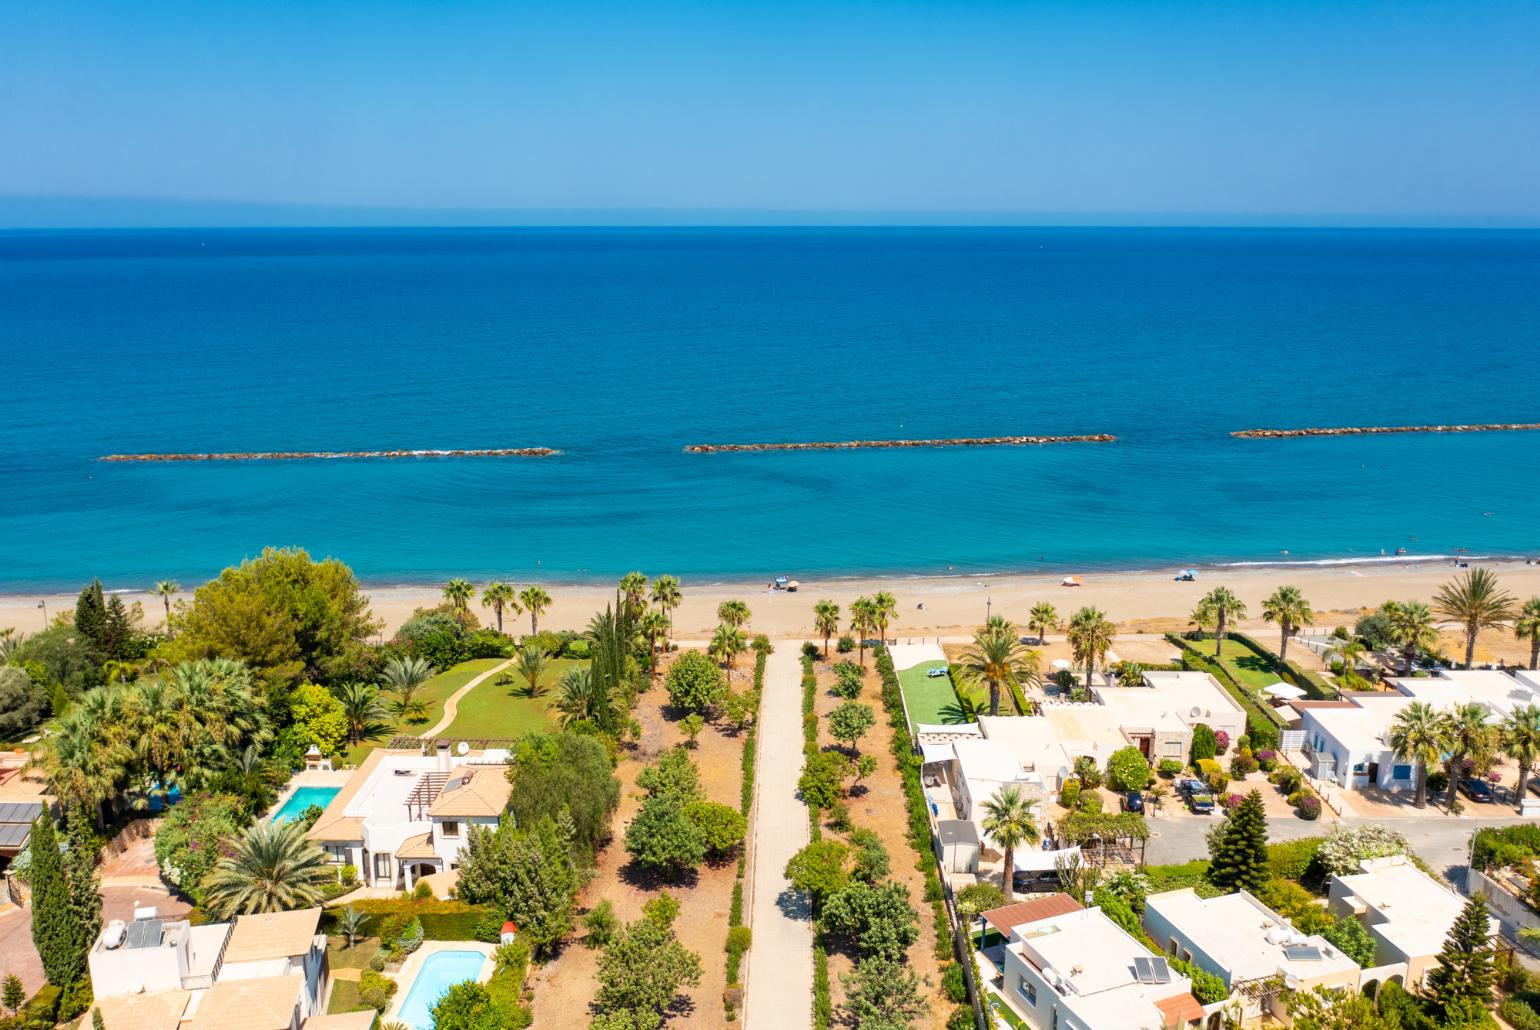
(780, 989)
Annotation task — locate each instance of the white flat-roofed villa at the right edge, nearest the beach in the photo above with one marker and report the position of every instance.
(1348, 741)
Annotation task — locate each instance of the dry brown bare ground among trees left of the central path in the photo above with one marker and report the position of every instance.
(566, 986)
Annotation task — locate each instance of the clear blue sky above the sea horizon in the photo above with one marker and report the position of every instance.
(1153, 110)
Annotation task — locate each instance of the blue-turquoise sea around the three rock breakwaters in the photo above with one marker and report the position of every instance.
(620, 347)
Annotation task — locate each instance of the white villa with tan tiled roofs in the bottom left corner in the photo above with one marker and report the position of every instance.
(256, 974)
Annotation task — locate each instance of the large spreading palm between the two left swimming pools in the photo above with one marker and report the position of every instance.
(273, 868)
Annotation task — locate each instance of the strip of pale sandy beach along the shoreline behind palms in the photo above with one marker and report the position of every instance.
(1143, 603)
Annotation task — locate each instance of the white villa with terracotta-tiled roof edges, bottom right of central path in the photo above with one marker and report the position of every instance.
(1065, 968)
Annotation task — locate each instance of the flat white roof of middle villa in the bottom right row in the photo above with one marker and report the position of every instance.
(1245, 937)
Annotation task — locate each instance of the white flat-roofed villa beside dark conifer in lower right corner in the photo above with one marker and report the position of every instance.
(1407, 912)
